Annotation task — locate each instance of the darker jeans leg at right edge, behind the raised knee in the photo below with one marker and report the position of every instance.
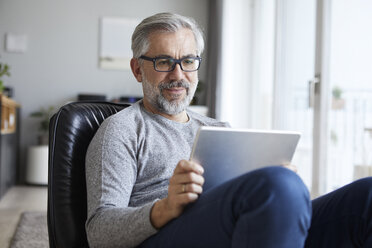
(343, 218)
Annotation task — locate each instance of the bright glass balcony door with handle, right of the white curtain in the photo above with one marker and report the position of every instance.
(323, 88)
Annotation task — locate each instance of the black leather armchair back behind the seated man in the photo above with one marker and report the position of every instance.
(70, 131)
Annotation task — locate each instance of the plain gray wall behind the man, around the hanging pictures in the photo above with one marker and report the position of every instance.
(62, 56)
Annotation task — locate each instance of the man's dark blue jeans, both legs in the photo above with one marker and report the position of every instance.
(271, 207)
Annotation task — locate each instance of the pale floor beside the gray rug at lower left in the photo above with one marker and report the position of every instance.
(17, 200)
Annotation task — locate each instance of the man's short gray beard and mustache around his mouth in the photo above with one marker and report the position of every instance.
(173, 106)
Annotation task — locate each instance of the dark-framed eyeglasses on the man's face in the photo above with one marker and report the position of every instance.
(167, 64)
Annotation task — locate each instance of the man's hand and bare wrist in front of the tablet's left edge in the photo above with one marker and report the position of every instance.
(184, 187)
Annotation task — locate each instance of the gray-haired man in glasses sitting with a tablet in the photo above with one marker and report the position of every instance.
(143, 192)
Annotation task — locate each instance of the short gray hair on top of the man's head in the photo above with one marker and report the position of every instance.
(166, 22)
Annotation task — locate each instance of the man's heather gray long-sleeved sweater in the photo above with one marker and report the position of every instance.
(128, 166)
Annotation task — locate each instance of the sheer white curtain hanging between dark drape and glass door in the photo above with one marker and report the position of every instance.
(246, 61)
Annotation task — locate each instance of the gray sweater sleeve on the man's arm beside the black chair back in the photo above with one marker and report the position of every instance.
(111, 172)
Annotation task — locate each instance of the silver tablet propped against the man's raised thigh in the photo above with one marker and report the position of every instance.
(226, 153)
